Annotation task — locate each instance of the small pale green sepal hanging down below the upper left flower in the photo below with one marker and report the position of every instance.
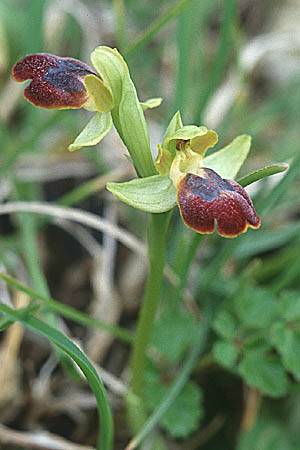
(96, 129)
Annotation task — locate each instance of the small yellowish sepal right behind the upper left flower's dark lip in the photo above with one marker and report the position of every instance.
(100, 95)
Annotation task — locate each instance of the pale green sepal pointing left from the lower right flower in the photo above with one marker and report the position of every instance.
(154, 194)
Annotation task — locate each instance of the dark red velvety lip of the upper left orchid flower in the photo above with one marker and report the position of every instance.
(57, 82)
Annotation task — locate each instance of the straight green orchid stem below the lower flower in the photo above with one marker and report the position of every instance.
(157, 242)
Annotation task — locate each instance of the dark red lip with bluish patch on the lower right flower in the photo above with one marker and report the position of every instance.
(207, 199)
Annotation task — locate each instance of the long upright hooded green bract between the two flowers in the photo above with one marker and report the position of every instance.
(128, 116)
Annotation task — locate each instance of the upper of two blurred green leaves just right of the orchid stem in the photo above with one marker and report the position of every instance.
(169, 335)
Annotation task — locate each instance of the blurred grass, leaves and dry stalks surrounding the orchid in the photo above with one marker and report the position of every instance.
(228, 330)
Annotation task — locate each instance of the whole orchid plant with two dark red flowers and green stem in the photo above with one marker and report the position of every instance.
(203, 187)
